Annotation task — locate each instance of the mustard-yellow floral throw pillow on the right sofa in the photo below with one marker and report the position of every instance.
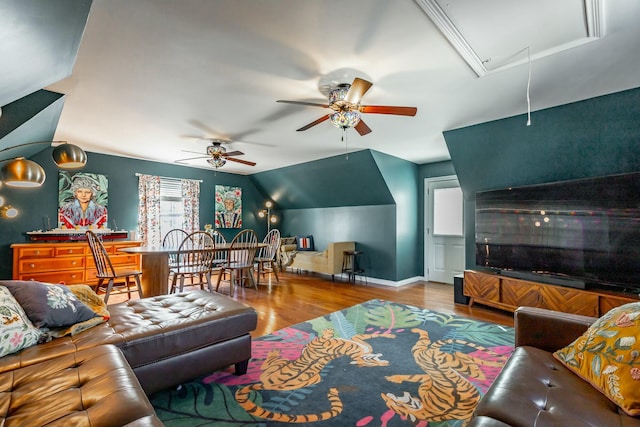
(607, 355)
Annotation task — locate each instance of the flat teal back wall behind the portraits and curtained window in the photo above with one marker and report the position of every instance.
(37, 204)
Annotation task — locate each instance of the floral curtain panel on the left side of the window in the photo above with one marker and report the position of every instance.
(149, 210)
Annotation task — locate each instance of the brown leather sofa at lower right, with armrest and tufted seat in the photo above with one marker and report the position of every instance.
(534, 389)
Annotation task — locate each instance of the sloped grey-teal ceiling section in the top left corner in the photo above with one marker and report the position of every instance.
(40, 41)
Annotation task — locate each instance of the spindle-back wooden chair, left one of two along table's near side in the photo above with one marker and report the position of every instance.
(194, 260)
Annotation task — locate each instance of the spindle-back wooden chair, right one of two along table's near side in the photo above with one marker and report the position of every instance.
(240, 259)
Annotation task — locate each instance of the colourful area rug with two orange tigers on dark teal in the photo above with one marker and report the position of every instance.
(379, 363)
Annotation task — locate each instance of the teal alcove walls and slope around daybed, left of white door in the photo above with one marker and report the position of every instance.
(375, 197)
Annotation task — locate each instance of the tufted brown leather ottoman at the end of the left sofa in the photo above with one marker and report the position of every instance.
(170, 339)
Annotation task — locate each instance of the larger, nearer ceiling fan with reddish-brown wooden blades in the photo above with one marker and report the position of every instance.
(344, 100)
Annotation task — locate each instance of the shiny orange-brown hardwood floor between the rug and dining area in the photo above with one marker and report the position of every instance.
(300, 297)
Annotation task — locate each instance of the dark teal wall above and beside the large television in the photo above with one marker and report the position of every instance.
(595, 137)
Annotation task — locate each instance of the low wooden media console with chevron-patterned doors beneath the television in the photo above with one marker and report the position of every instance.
(508, 294)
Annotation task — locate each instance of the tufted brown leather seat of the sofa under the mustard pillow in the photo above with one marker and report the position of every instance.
(536, 389)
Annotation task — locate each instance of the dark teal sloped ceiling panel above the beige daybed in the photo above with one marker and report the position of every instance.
(352, 180)
